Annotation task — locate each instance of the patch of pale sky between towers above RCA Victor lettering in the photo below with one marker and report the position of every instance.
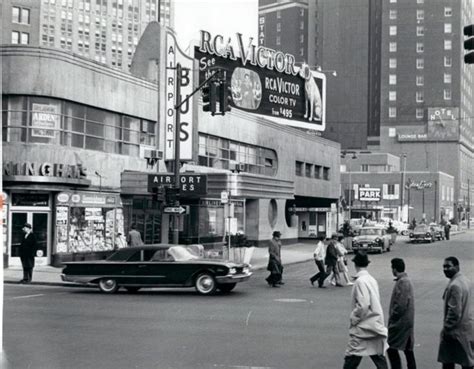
(224, 17)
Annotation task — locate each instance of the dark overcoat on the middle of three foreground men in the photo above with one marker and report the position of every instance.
(401, 320)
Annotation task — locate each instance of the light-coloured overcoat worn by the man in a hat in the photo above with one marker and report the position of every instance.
(367, 332)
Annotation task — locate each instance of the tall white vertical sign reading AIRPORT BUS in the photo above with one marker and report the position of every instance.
(173, 56)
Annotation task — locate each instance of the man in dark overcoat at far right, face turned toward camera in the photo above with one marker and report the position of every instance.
(457, 341)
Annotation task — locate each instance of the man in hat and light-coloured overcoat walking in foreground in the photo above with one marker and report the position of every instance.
(367, 332)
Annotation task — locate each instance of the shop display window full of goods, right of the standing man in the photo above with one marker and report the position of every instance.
(88, 222)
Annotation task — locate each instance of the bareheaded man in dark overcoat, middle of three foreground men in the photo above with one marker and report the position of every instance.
(401, 320)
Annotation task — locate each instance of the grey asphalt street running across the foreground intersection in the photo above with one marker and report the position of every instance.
(296, 326)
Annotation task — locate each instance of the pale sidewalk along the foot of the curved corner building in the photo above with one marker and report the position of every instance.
(49, 275)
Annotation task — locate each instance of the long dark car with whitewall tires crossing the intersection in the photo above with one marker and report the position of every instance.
(157, 266)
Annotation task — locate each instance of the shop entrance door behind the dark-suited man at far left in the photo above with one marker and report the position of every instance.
(39, 221)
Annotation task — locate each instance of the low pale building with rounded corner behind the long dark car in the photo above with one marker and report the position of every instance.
(76, 135)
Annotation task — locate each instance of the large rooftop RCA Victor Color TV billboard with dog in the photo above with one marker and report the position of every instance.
(264, 81)
